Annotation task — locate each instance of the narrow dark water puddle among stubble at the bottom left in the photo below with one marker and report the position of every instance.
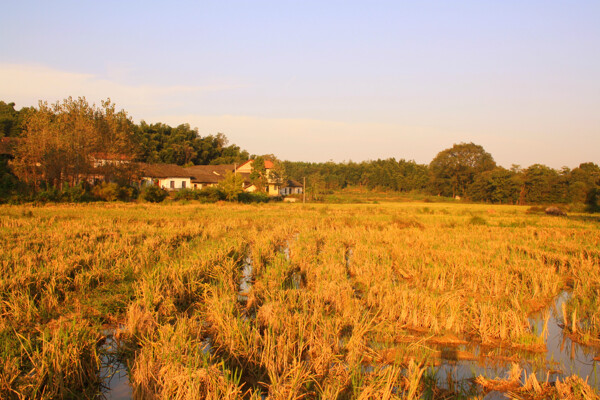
(113, 372)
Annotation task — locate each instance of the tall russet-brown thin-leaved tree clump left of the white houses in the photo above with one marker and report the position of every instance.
(59, 141)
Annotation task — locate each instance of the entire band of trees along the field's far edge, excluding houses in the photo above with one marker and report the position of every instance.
(60, 137)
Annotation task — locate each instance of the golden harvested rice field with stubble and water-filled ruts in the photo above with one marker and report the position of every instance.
(292, 301)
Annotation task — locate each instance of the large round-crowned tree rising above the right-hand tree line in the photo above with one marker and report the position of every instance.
(454, 169)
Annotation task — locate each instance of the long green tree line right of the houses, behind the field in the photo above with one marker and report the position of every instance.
(465, 171)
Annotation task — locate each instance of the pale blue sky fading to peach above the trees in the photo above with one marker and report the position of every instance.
(326, 80)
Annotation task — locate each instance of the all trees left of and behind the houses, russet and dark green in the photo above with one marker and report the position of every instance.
(55, 144)
